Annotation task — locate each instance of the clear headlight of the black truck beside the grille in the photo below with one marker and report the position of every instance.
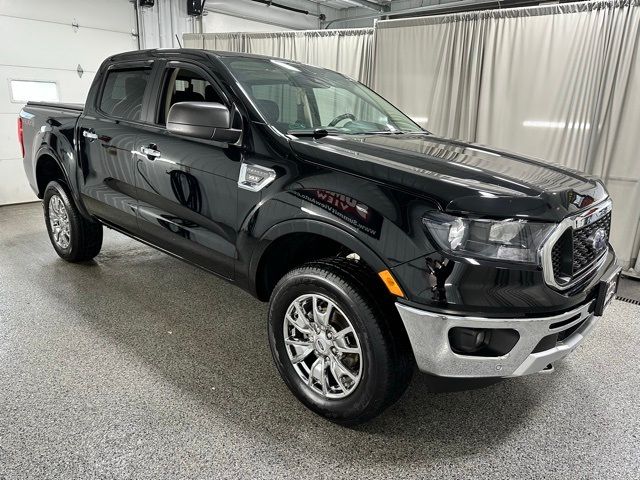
(510, 240)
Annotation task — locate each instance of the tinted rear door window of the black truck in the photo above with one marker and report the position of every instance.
(123, 93)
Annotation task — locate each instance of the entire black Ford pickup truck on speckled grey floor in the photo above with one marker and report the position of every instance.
(380, 246)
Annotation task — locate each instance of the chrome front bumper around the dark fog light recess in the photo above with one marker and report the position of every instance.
(429, 336)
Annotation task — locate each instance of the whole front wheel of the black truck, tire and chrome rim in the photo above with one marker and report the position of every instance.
(337, 340)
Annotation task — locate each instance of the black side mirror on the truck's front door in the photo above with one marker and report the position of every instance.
(206, 120)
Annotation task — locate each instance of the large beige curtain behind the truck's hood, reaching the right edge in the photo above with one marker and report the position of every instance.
(555, 82)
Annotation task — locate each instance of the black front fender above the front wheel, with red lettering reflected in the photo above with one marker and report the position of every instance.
(382, 226)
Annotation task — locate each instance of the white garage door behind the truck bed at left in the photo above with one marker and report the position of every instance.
(40, 51)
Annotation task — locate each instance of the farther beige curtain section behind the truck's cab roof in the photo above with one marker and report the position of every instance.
(346, 51)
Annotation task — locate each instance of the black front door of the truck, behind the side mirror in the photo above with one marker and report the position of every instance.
(187, 188)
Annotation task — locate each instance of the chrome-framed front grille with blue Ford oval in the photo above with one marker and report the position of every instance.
(573, 250)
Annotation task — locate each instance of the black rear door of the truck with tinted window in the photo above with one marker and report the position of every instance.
(107, 134)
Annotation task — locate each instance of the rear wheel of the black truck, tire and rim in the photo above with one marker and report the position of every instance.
(74, 238)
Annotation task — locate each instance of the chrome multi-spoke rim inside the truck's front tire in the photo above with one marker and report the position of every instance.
(323, 346)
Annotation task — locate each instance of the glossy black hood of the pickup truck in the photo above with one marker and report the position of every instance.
(463, 178)
